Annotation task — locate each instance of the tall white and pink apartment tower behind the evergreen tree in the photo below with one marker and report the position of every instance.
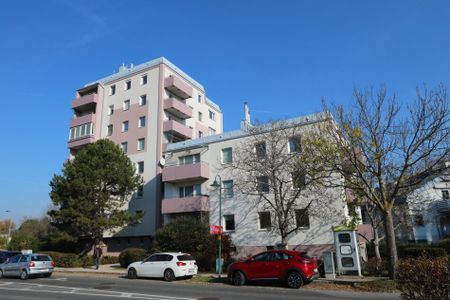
(143, 109)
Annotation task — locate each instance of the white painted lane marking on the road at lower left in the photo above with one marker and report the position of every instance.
(42, 288)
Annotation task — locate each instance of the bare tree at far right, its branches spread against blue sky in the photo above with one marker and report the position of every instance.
(384, 151)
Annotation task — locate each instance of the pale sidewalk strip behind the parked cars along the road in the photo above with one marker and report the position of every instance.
(115, 269)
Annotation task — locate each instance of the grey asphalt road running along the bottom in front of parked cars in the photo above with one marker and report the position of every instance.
(72, 287)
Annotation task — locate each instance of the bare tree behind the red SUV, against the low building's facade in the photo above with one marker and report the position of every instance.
(274, 168)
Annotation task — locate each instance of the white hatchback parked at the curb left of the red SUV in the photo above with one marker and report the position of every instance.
(167, 265)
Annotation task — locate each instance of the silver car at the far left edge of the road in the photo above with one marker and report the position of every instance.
(26, 265)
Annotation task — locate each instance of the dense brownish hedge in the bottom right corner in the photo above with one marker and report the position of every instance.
(424, 278)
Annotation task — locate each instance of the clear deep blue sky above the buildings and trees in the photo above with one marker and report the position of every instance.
(281, 56)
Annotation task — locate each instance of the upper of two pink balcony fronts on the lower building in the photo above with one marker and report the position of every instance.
(183, 173)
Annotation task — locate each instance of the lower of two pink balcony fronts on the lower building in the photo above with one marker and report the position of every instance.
(182, 205)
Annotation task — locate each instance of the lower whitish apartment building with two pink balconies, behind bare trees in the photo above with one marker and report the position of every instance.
(191, 167)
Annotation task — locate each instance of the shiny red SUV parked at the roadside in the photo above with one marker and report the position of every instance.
(295, 268)
